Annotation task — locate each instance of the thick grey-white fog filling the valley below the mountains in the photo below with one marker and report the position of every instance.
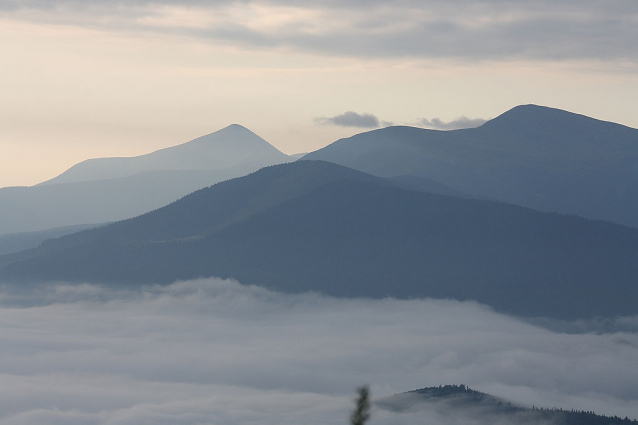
(217, 352)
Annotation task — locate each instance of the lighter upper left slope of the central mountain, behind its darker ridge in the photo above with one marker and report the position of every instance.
(213, 208)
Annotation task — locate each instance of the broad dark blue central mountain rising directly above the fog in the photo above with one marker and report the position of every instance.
(314, 225)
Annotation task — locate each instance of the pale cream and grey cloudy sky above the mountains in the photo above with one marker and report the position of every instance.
(82, 79)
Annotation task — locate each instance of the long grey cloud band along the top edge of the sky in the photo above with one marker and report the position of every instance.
(466, 30)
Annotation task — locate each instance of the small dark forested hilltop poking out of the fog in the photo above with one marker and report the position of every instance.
(482, 407)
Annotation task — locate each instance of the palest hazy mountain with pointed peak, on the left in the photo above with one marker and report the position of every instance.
(108, 189)
